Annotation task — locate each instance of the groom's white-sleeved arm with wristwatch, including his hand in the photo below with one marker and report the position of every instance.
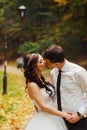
(81, 78)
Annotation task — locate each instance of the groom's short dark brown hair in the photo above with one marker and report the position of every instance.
(54, 53)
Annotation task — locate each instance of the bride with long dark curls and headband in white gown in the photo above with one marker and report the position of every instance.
(43, 94)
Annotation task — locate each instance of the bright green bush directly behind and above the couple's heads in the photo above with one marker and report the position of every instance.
(32, 47)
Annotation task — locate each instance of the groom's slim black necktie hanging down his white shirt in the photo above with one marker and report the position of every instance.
(58, 91)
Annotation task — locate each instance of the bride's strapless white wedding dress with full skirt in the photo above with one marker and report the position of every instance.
(45, 121)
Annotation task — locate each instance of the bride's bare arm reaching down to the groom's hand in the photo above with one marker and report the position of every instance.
(35, 94)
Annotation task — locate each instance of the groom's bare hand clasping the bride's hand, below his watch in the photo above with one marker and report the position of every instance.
(73, 118)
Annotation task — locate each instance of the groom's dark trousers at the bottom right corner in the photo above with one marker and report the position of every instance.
(80, 125)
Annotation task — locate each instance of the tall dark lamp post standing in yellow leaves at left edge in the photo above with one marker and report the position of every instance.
(5, 65)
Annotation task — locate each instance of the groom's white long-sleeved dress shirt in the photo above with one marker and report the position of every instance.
(73, 87)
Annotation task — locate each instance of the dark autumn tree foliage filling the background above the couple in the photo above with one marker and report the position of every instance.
(46, 23)
